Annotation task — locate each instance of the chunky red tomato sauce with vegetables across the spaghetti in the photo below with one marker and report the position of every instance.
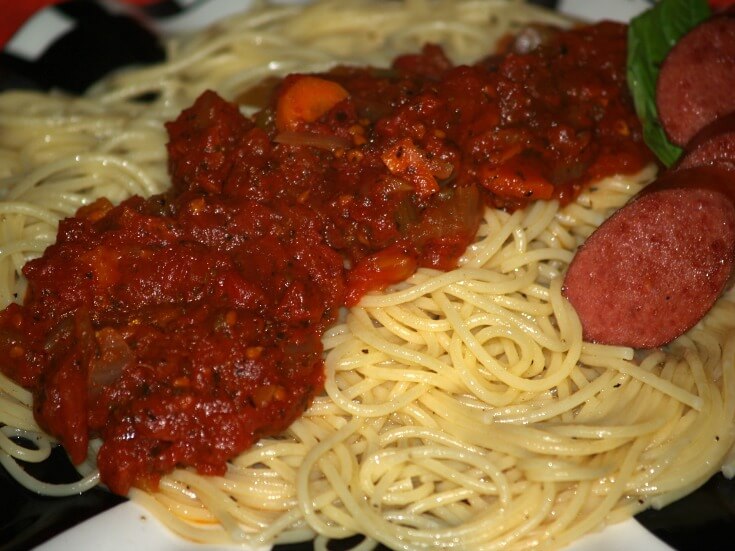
(183, 327)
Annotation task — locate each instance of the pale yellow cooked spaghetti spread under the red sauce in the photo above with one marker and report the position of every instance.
(462, 409)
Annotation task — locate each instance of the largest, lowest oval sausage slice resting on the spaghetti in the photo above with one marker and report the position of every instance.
(655, 267)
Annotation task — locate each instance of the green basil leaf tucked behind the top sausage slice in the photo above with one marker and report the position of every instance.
(650, 37)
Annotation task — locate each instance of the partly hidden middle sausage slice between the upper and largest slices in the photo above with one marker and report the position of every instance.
(713, 145)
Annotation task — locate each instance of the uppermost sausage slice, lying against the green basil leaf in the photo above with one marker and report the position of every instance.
(696, 83)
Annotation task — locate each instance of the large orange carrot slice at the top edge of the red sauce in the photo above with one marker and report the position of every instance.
(305, 99)
